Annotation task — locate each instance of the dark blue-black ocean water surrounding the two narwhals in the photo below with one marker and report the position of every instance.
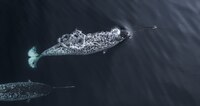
(154, 68)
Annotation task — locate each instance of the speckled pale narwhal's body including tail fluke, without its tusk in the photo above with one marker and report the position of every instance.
(79, 43)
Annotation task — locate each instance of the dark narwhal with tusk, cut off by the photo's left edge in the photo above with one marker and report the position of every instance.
(18, 91)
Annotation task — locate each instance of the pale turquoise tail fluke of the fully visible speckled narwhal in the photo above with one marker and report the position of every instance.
(33, 57)
